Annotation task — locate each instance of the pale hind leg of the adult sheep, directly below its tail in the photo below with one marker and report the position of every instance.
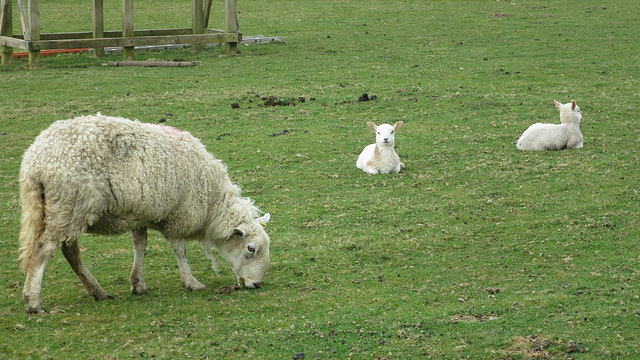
(39, 257)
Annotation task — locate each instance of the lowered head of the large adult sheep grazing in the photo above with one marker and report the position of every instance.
(247, 252)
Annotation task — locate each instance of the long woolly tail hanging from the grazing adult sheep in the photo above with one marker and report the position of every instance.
(33, 217)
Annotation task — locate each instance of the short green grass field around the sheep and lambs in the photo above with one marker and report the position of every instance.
(476, 250)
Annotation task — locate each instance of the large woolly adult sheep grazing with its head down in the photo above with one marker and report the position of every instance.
(109, 175)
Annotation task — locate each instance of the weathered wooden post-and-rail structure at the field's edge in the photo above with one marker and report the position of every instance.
(33, 41)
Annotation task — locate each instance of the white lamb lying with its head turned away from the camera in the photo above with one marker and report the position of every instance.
(566, 135)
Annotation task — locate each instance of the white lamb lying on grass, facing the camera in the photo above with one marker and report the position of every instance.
(381, 158)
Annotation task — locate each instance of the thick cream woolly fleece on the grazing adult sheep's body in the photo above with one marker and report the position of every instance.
(109, 175)
